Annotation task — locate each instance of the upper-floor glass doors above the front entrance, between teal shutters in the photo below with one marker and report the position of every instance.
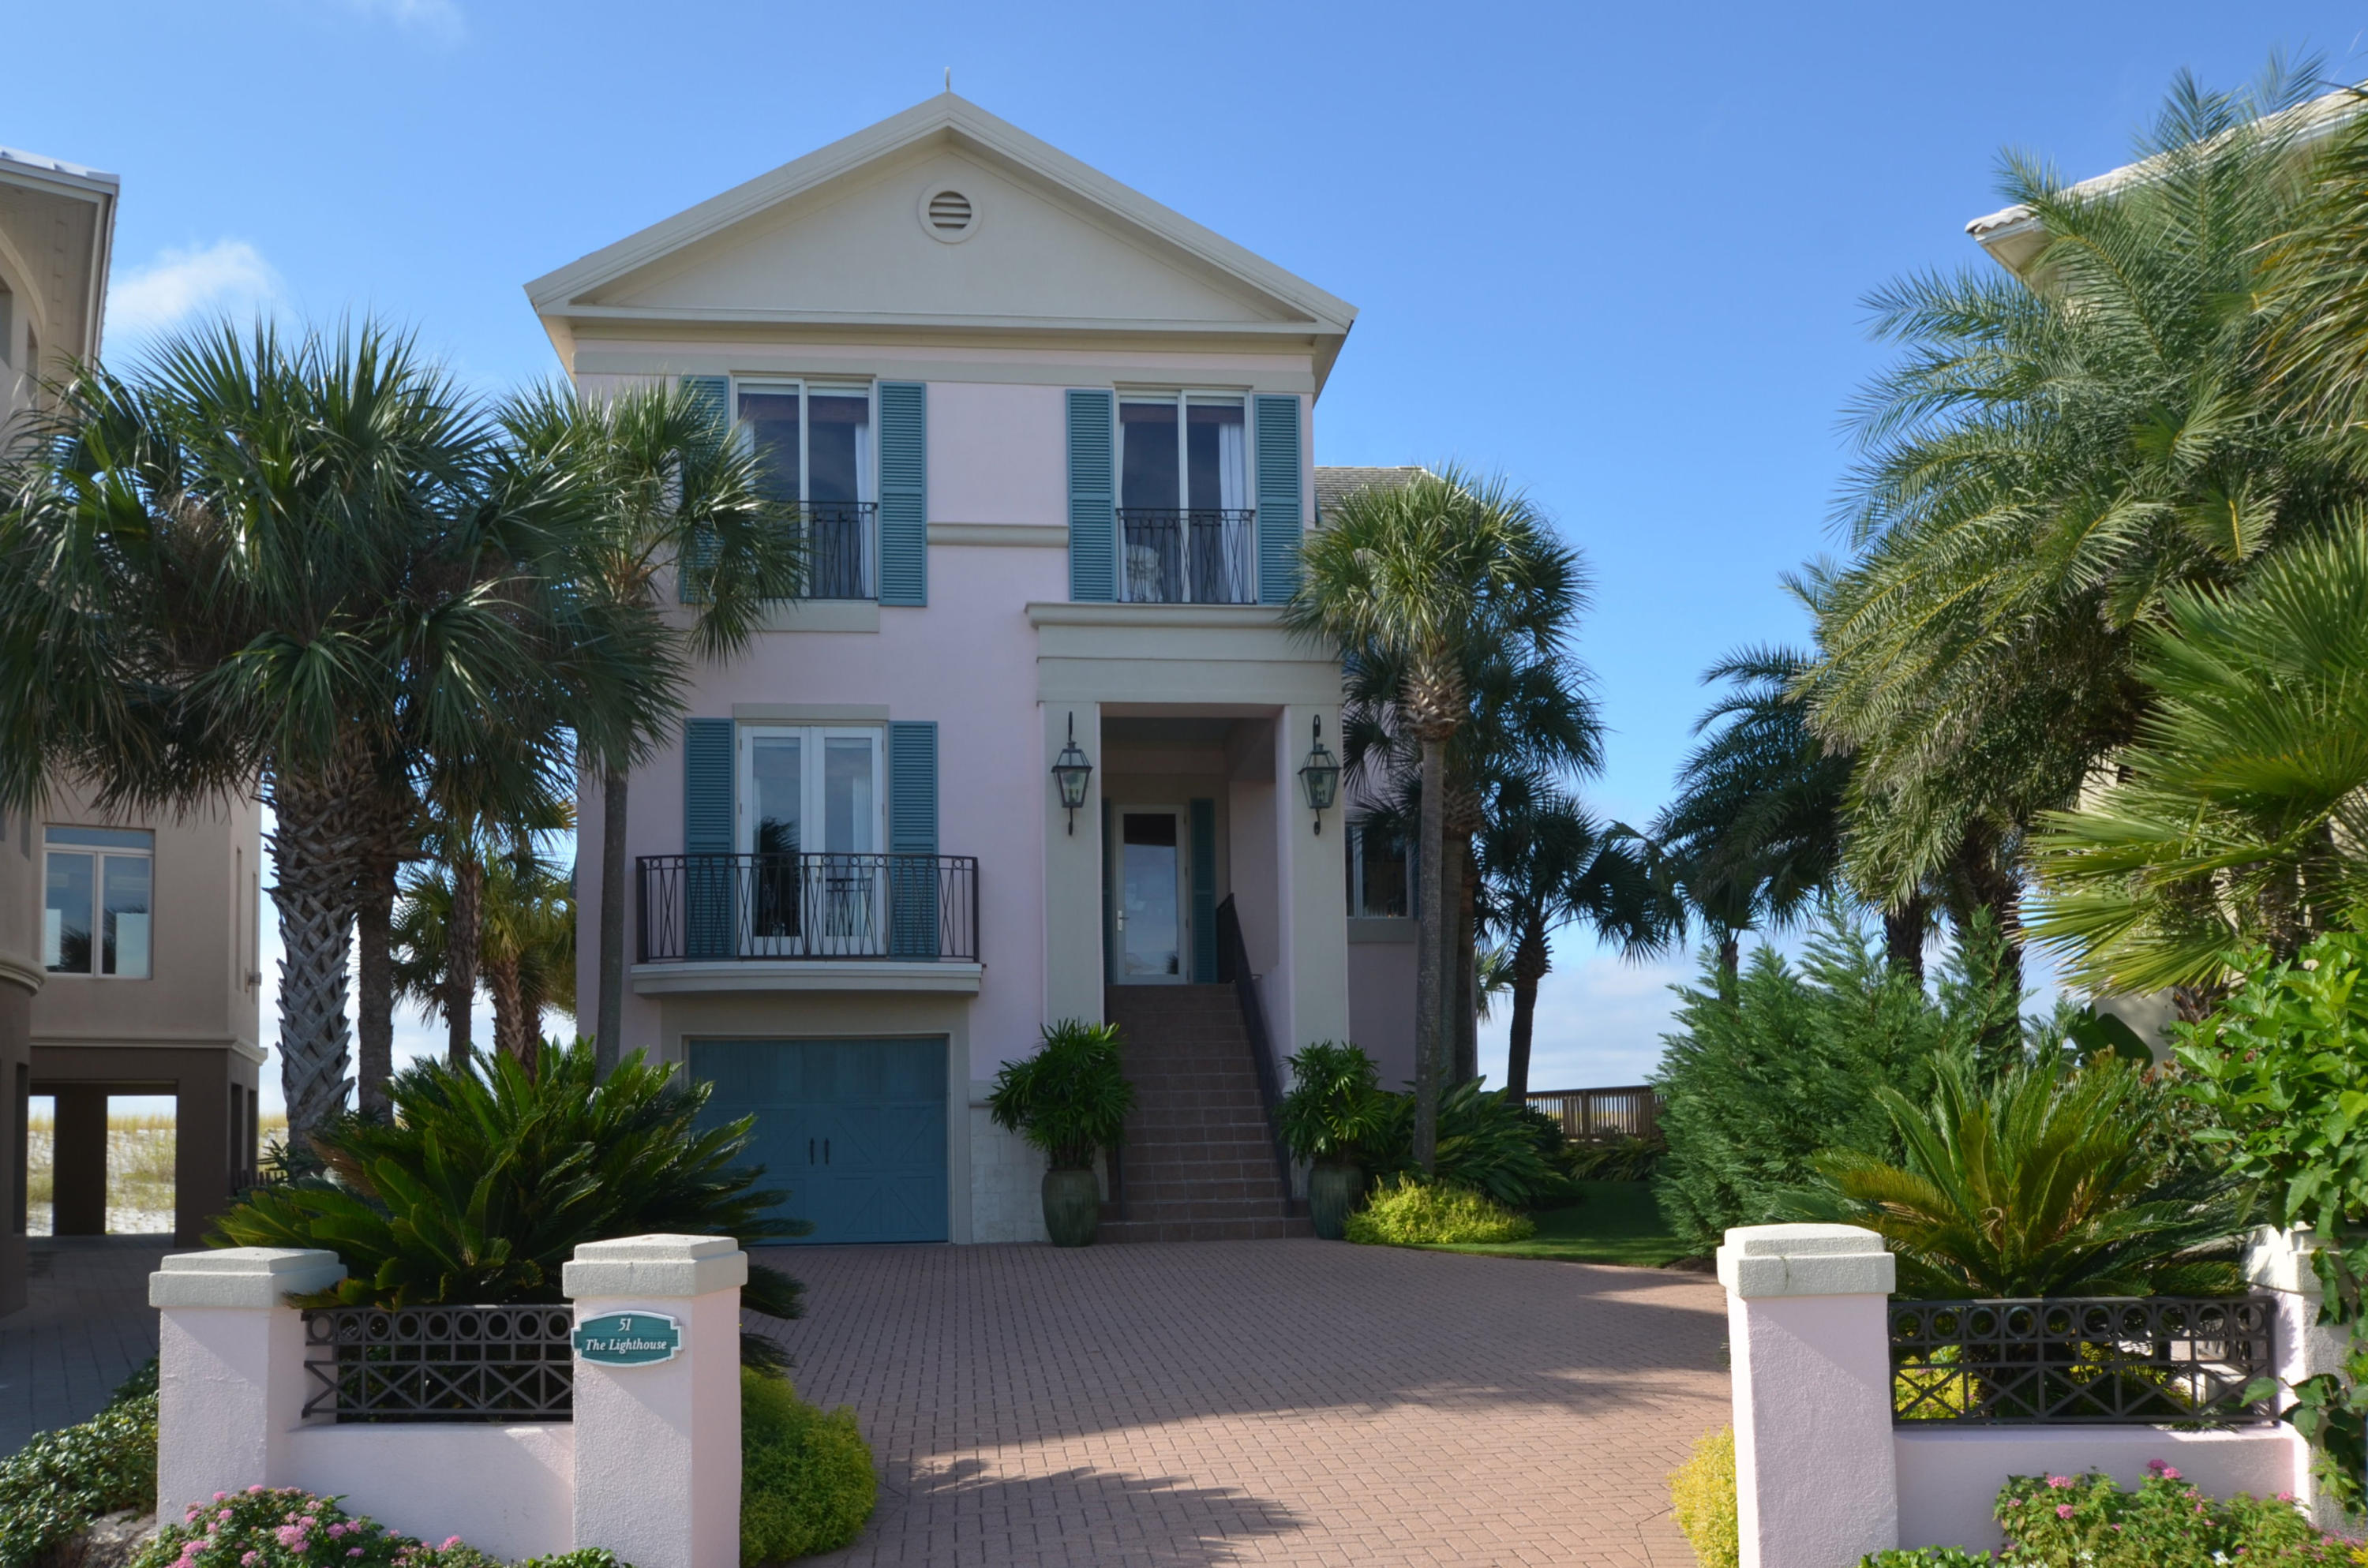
(1185, 515)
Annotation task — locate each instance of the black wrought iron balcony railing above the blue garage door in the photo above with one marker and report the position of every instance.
(823, 906)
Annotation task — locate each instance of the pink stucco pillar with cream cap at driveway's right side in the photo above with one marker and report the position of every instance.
(1813, 1384)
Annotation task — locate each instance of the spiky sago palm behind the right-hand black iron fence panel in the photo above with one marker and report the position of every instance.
(2042, 1183)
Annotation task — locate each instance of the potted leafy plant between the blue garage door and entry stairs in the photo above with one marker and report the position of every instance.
(1069, 1100)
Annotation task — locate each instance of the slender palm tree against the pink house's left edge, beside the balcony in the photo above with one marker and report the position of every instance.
(686, 499)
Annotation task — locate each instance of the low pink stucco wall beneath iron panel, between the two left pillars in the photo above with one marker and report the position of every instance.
(522, 1482)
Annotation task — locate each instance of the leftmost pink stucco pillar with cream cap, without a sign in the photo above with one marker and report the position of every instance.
(231, 1377)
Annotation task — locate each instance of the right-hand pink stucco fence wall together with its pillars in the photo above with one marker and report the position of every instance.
(1822, 1472)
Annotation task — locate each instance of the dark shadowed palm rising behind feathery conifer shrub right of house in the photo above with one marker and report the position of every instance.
(1754, 837)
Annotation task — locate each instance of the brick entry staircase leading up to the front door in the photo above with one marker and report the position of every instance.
(1199, 1159)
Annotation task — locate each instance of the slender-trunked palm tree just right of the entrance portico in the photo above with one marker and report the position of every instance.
(1427, 577)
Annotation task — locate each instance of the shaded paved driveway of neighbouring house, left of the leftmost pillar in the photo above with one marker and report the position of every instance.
(84, 1330)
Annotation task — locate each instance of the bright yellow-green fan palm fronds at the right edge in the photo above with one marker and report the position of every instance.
(2241, 814)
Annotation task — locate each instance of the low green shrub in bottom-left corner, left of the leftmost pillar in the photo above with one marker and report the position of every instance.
(65, 1479)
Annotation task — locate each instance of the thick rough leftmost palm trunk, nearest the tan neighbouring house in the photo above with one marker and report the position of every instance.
(314, 894)
